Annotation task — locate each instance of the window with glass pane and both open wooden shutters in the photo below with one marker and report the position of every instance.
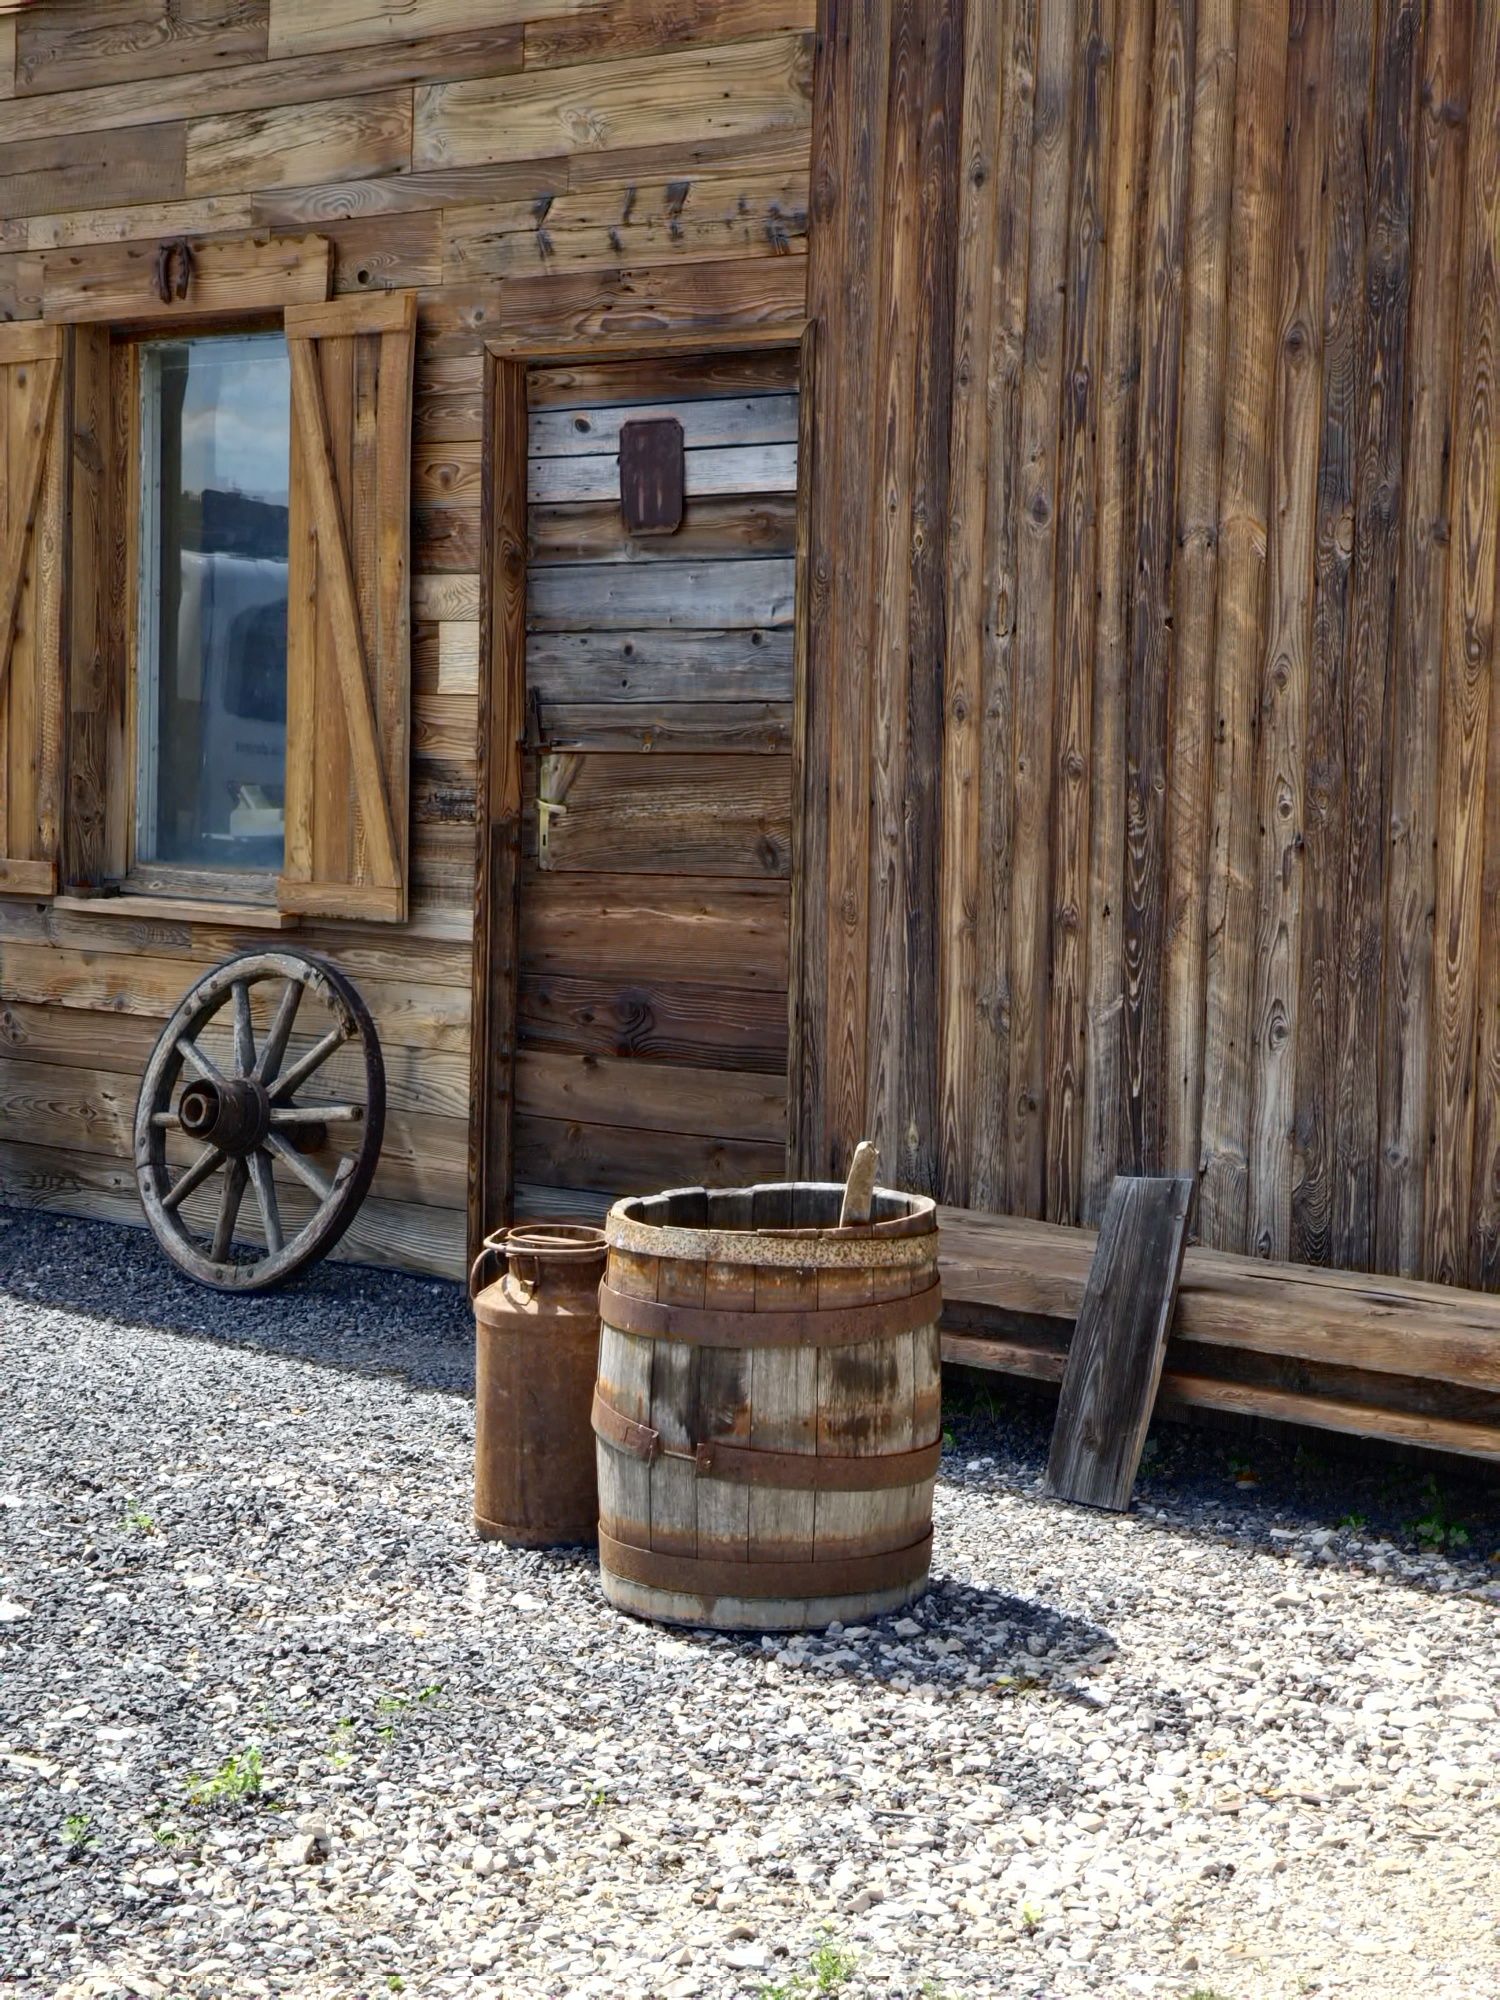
(121, 755)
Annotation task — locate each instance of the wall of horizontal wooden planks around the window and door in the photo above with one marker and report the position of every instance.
(537, 169)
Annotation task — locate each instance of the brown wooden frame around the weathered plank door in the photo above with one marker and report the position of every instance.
(501, 731)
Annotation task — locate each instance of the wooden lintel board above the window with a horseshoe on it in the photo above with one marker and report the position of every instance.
(237, 277)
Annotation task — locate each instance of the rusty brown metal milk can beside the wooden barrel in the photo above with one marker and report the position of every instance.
(537, 1355)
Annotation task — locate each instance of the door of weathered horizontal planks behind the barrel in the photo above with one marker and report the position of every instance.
(655, 881)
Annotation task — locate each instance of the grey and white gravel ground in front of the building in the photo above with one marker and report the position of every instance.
(273, 1723)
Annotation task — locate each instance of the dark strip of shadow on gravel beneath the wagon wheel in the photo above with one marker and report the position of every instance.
(351, 1317)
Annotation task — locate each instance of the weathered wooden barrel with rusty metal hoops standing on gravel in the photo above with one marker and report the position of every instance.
(769, 1407)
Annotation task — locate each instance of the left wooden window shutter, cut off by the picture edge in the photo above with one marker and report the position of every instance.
(33, 521)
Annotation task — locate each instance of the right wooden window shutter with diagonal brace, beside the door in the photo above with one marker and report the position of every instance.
(349, 657)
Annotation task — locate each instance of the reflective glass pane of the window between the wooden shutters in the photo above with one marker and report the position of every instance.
(213, 645)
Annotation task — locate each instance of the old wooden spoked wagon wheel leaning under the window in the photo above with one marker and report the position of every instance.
(241, 1117)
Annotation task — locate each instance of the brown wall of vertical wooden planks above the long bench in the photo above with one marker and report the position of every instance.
(1153, 673)
